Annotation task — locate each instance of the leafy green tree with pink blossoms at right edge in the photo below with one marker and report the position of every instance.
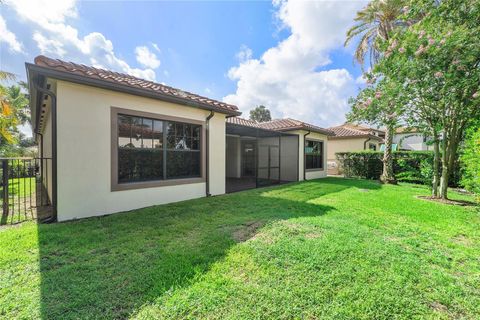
(437, 61)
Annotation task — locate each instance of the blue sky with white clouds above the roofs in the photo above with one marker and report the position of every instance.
(286, 55)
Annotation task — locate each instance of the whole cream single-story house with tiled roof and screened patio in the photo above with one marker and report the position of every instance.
(117, 142)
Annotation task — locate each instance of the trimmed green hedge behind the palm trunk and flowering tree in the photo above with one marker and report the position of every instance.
(408, 166)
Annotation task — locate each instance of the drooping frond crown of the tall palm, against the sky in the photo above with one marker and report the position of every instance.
(375, 21)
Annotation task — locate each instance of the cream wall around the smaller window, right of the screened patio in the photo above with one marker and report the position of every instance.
(301, 155)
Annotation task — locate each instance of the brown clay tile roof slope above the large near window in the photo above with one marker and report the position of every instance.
(79, 73)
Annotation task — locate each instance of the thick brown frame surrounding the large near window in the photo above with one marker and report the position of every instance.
(116, 186)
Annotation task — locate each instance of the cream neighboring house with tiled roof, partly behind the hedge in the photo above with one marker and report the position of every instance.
(350, 138)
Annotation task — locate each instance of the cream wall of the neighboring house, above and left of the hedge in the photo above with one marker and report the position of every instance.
(345, 145)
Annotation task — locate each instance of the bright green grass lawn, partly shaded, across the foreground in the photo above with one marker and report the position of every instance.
(331, 248)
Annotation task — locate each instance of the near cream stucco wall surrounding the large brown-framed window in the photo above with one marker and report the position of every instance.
(84, 153)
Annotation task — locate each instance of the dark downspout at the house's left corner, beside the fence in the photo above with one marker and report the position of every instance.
(54, 149)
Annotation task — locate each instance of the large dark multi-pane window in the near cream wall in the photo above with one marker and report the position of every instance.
(151, 149)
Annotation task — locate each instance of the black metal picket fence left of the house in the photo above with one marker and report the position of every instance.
(24, 189)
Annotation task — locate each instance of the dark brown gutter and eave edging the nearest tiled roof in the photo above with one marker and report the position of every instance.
(75, 78)
